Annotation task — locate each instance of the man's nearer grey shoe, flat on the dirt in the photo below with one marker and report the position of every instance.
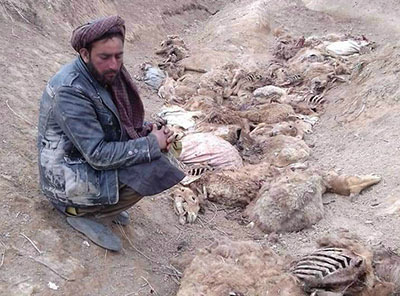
(96, 232)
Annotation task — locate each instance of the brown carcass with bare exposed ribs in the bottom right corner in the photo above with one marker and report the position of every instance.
(342, 266)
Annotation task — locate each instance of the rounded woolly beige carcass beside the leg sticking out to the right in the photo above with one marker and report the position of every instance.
(291, 202)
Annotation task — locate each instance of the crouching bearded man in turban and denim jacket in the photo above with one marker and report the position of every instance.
(97, 158)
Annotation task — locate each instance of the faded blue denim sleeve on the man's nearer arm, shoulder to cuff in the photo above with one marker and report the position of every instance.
(75, 113)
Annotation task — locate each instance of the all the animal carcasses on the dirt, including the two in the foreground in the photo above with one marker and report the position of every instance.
(242, 144)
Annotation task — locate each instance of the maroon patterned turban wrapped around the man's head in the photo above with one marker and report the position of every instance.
(86, 34)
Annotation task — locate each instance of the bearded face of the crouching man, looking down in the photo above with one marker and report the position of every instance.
(105, 59)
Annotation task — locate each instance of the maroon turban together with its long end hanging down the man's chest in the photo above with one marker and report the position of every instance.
(124, 92)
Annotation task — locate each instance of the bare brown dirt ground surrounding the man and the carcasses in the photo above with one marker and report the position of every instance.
(358, 134)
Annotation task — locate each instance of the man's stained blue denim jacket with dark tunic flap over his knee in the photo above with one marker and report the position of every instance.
(83, 148)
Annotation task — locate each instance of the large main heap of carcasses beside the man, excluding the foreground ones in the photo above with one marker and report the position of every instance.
(242, 131)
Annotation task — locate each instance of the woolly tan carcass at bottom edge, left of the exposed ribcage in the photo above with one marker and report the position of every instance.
(237, 268)
